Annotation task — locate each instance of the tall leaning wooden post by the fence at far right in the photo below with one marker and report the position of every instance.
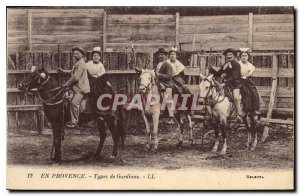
(272, 95)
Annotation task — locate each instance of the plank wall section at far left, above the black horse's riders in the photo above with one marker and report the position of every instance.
(50, 27)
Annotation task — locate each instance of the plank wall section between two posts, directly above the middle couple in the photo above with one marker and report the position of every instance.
(147, 32)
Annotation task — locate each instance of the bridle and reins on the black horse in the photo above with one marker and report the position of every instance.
(40, 84)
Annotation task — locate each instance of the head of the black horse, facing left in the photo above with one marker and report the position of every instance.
(34, 79)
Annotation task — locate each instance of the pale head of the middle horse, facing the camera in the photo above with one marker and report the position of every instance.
(146, 80)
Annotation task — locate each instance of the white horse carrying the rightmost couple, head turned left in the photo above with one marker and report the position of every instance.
(220, 106)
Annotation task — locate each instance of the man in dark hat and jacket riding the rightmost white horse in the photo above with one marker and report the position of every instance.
(231, 71)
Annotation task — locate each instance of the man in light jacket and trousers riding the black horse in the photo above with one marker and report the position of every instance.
(78, 82)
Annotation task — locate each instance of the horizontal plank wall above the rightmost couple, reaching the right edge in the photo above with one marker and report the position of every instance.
(267, 32)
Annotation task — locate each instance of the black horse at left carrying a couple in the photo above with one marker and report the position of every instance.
(52, 98)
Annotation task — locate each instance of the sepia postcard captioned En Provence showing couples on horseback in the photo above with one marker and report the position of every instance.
(150, 98)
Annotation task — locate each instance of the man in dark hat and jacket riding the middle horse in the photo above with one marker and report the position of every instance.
(164, 72)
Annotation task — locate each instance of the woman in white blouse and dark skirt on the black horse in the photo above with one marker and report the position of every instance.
(99, 83)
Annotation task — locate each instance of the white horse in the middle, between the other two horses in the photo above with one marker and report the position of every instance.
(147, 87)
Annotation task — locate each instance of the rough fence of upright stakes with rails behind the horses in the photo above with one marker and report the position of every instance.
(274, 78)
